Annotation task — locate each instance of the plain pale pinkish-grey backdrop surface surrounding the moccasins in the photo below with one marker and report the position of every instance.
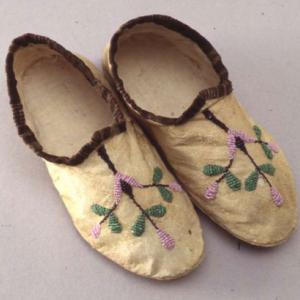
(41, 254)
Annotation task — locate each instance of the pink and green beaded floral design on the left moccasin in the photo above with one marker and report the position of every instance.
(124, 184)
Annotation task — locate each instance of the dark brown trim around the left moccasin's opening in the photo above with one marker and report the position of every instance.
(23, 129)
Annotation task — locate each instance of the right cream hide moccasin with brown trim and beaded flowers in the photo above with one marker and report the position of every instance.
(174, 83)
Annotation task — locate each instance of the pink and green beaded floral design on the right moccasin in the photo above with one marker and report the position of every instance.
(237, 140)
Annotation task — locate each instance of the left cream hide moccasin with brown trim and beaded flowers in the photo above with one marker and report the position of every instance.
(119, 194)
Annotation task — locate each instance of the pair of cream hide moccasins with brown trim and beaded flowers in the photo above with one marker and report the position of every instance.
(114, 182)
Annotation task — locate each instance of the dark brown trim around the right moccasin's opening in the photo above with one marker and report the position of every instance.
(224, 87)
